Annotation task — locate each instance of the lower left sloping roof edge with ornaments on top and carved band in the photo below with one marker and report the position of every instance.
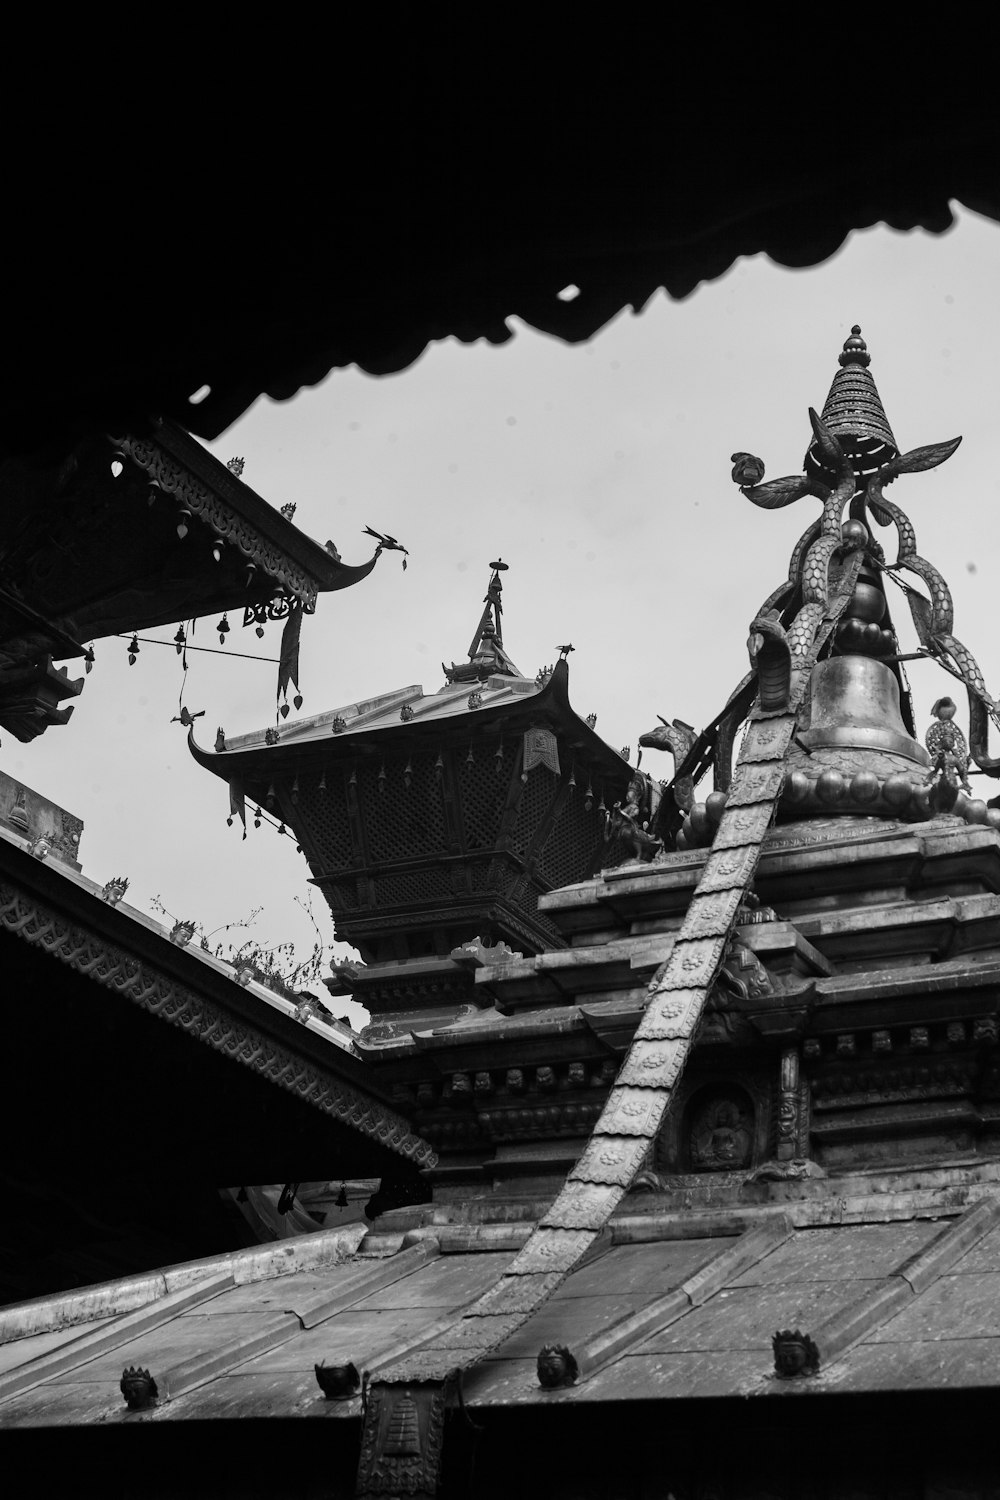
(62, 913)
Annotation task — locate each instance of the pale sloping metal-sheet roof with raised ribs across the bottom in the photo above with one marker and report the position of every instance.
(897, 1286)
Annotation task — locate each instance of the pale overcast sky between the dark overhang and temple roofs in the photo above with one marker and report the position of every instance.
(600, 475)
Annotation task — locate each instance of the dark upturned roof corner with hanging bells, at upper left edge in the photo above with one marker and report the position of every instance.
(127, 535)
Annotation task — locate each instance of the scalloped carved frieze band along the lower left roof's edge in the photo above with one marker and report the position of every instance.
(209, 1024)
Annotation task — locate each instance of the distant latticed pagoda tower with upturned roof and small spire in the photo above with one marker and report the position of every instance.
(436, 823)
